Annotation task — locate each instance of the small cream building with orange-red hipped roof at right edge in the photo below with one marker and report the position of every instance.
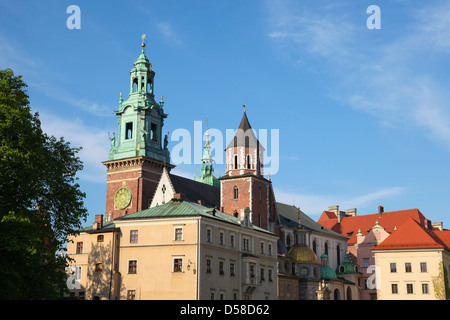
(413, 263)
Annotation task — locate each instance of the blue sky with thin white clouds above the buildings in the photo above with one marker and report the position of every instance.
(363, 115)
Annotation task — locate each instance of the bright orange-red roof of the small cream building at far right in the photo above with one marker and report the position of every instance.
(412, 235)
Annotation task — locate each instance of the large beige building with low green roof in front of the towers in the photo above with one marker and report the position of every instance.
(180, 250)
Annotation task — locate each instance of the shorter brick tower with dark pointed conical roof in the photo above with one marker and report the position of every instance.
(244, 184)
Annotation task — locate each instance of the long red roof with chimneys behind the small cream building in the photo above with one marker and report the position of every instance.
(350, 225)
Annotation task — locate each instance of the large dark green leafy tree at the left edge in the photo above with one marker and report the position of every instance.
(40, 201)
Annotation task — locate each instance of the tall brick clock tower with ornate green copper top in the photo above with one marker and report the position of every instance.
(138, 153)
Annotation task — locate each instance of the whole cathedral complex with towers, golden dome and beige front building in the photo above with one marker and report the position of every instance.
(164, 236)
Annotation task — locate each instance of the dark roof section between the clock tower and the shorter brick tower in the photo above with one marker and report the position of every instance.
(195, 190)
